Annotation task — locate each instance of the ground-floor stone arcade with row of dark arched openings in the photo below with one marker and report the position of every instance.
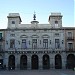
(39, 61)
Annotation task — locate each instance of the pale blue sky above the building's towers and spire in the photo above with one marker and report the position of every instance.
(42, 8)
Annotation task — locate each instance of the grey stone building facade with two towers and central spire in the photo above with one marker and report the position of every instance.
(37, 46)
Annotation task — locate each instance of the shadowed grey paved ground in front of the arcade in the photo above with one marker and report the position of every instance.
(38, 72)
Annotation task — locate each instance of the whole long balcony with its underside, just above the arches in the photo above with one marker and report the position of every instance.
(30, 50)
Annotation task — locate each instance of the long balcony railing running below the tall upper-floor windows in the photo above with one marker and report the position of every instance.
(31, 49)
